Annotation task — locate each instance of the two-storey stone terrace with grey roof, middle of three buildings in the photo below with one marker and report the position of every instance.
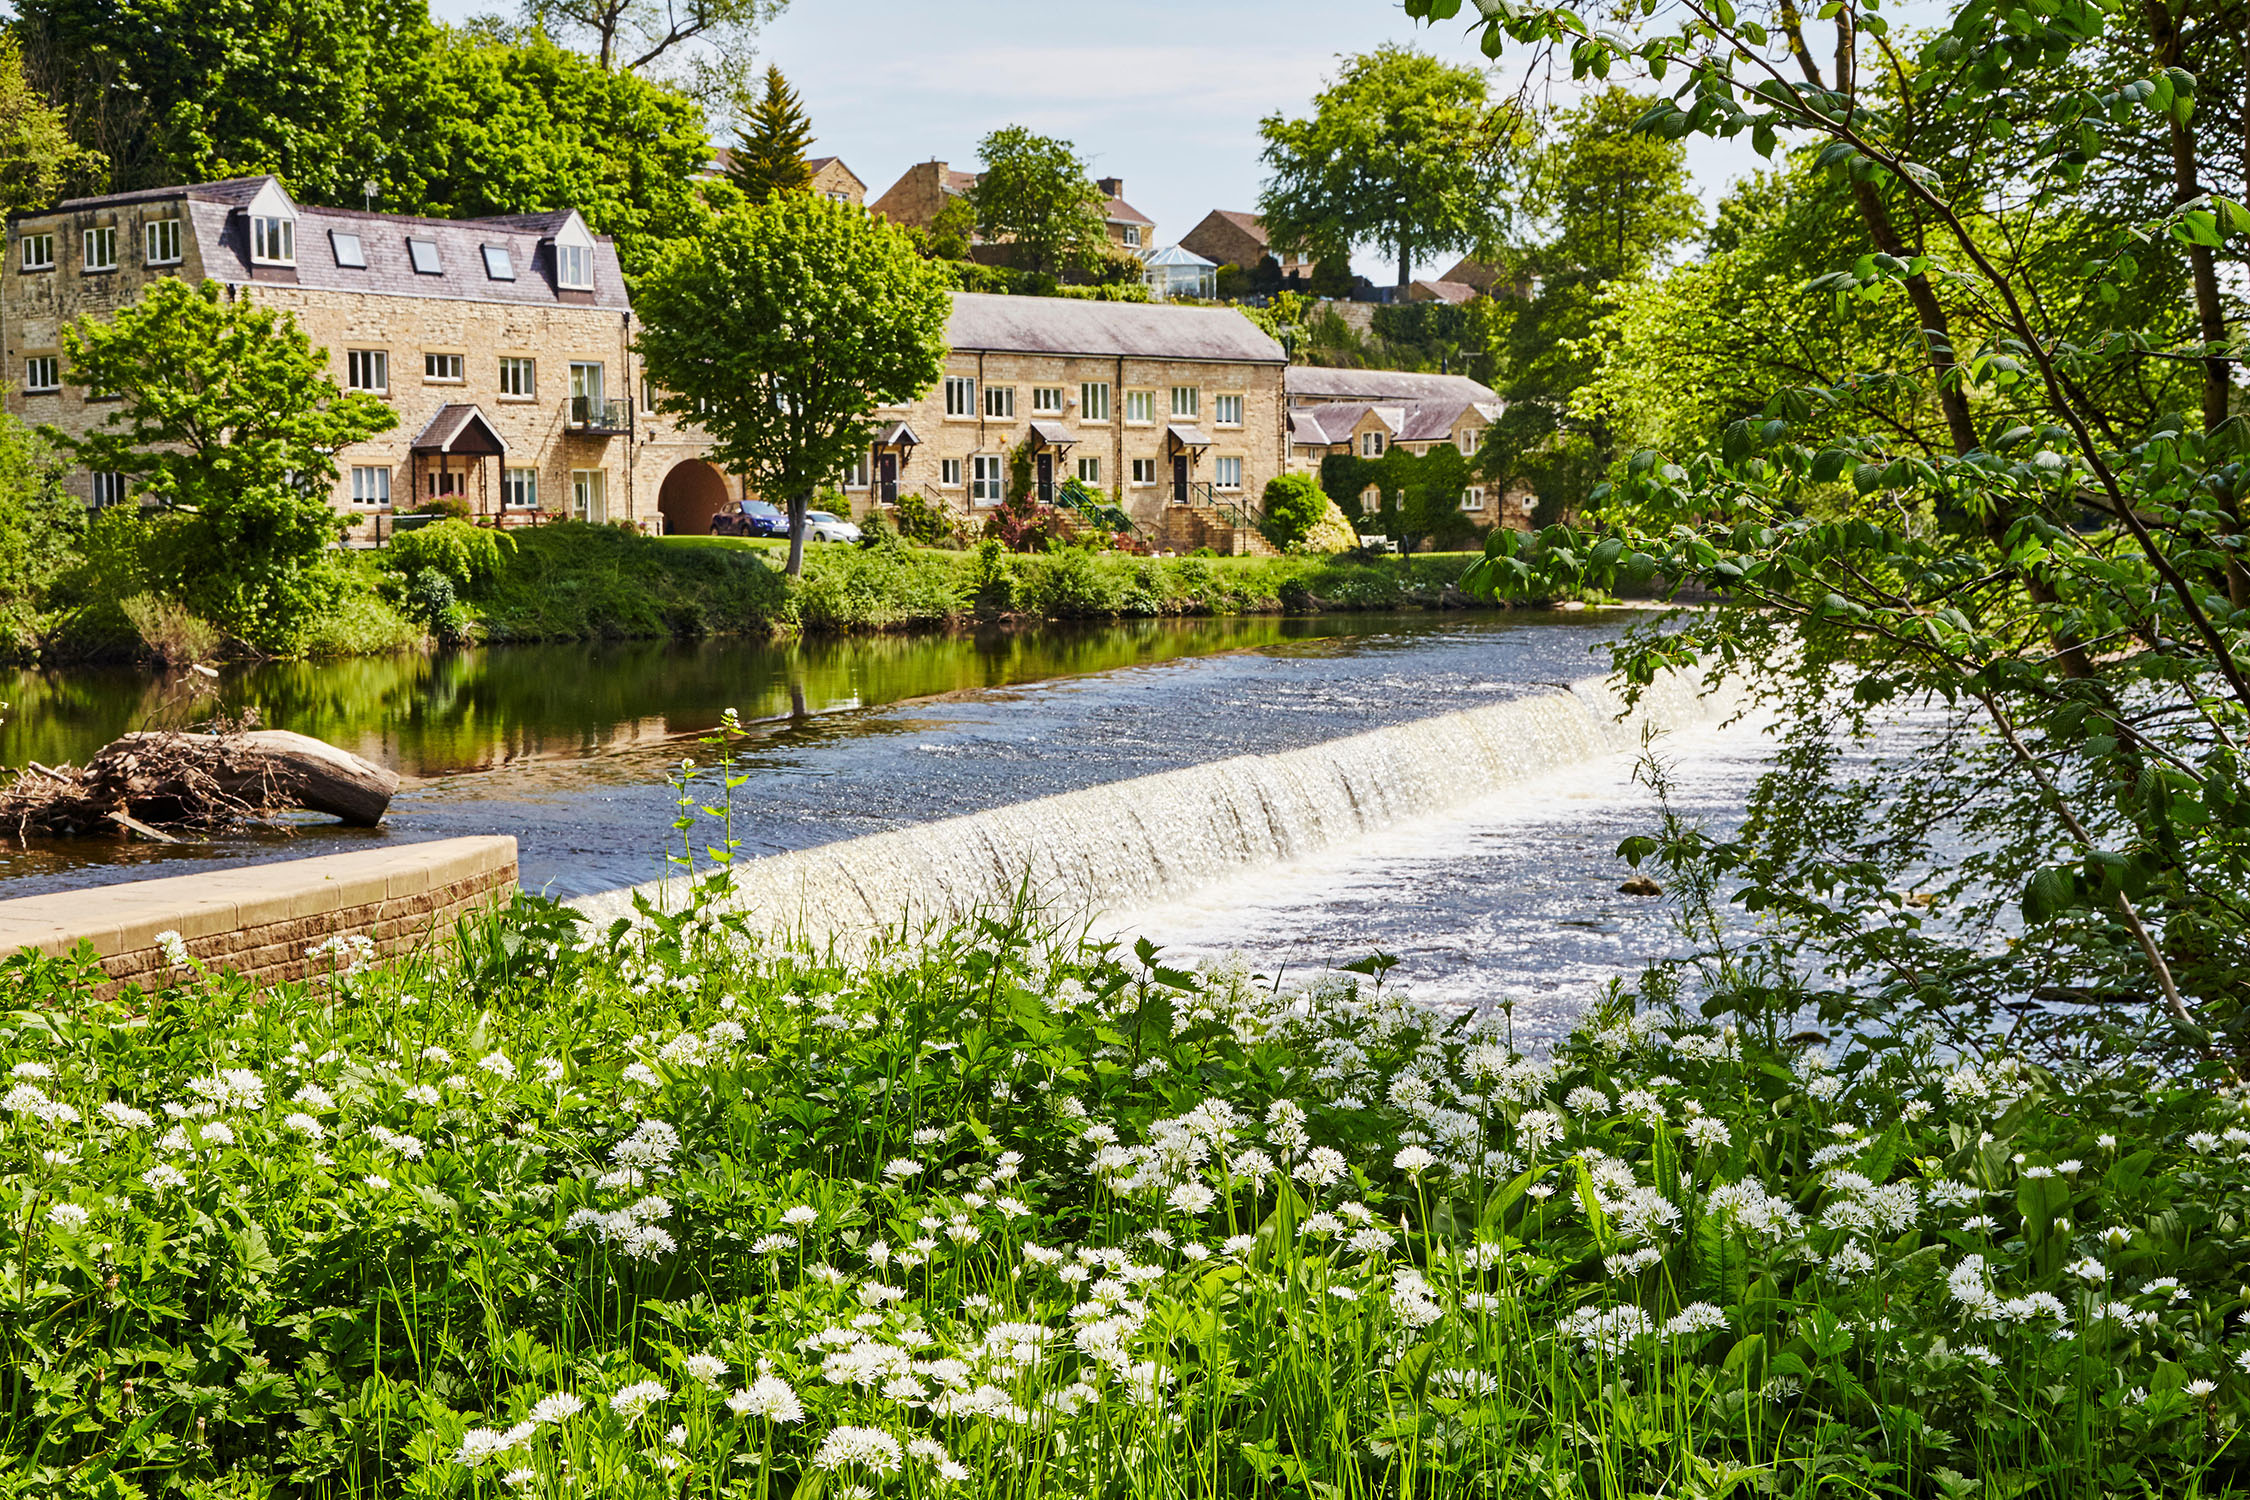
(1160, 408)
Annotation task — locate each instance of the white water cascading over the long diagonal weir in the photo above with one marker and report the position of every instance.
(1160, 838)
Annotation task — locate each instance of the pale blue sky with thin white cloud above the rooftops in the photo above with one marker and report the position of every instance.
(1162, 93)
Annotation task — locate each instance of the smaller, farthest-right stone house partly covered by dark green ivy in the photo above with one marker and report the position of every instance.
(1369, 413)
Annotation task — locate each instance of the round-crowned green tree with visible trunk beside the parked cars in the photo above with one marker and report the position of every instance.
(782, 329)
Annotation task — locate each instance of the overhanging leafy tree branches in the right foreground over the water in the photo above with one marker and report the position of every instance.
(1995, 588)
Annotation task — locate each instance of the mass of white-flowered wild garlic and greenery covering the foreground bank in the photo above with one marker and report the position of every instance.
(669, 1213)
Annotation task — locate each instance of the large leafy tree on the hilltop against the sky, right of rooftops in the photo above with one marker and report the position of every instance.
(1401, 152)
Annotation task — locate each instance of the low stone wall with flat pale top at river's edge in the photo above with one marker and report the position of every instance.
(262, 921)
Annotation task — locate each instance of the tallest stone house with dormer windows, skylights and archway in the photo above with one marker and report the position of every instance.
(505, 345)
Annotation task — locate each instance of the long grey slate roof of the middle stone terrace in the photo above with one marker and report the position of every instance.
(1115, 329)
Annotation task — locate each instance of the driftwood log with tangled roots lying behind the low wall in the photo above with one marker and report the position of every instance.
(197, 781)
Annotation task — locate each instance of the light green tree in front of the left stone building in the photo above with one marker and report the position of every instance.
(231, 419)
